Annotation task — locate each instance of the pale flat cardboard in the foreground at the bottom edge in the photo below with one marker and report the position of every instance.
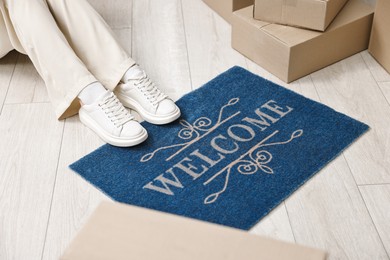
(118, 231)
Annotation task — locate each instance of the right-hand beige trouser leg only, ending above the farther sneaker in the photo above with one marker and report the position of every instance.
(92, 40)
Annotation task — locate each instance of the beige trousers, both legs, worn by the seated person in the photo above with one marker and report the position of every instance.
(70, 45)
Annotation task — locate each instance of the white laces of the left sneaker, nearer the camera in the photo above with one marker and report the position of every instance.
(115, 111)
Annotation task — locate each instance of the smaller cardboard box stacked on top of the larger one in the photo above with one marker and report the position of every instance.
(311, 14)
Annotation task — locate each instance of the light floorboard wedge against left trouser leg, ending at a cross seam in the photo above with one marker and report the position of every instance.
(26, 85)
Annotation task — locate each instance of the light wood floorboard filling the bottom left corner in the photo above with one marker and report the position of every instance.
(30, 145)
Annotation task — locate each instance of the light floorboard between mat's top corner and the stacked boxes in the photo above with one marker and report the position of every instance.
(209, 44)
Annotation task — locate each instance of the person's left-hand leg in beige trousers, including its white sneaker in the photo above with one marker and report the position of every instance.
(66, 75)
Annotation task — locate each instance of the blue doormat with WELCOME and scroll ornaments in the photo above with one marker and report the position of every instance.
(241, 147)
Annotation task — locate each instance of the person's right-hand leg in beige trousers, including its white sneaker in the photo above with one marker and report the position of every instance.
(95, 43)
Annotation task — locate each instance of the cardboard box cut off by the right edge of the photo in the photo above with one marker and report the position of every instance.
(380, 35)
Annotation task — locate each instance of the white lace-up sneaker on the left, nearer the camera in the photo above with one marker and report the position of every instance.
(111, 121)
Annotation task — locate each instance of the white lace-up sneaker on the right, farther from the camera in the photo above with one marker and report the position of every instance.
(141, 94)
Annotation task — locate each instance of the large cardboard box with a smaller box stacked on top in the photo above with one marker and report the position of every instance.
(290, 52)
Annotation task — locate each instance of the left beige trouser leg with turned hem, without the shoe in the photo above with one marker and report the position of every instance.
(64, 73)
